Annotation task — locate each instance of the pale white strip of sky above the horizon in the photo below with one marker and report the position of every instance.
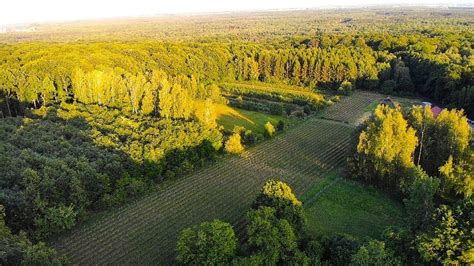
(27, 11)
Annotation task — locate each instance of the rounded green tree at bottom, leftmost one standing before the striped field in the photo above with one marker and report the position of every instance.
(212, 243)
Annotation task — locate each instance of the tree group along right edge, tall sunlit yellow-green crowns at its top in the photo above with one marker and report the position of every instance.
(429, 162)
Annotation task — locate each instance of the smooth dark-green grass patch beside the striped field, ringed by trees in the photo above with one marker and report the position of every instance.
(351, 208)
